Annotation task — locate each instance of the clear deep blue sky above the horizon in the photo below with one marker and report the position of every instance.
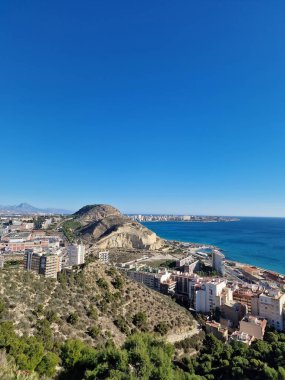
(152, 106)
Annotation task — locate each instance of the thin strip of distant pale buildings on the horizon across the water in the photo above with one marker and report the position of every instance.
(180, 218)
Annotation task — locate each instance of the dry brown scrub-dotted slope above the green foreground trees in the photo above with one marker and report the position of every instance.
(94, 305)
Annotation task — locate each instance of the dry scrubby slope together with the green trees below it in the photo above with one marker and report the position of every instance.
(97, 324)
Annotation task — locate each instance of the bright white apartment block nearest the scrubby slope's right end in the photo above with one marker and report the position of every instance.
(209, 296)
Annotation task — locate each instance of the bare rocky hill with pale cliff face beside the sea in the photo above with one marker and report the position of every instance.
(108, 228)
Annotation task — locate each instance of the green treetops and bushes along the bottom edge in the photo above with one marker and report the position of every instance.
(143, 356)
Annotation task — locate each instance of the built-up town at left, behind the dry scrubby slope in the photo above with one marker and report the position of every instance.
(38, 244)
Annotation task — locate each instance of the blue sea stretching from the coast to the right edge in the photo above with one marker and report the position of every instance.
(256, 241)
